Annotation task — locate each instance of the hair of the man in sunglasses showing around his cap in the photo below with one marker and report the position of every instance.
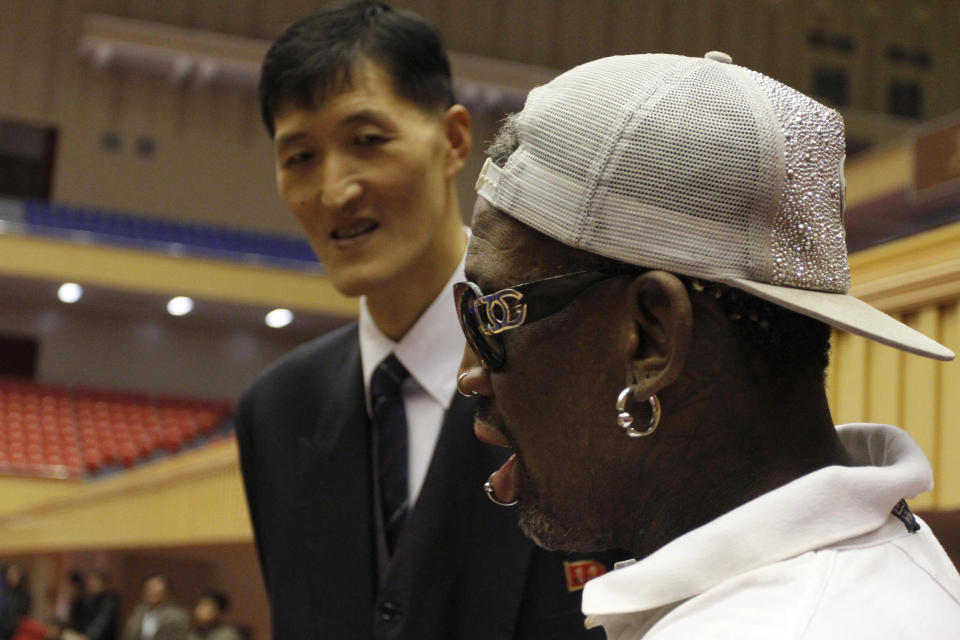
(786, 340)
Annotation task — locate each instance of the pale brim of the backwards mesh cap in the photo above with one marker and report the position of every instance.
(850, 314)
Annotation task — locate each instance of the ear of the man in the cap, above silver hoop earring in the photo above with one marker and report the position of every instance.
(662, 327)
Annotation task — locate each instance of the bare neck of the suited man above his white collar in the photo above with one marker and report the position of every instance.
(397, 306)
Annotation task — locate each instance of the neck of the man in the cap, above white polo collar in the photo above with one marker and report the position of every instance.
(752, 441)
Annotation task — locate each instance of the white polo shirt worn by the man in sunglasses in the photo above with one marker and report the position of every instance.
(819, 558)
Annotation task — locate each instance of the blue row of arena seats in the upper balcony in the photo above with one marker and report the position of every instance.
(163, 234)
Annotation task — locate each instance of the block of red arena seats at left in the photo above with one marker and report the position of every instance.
(60, 431)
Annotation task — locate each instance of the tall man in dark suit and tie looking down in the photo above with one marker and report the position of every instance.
(361, 533)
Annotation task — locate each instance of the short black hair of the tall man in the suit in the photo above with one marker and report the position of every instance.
(318, 54)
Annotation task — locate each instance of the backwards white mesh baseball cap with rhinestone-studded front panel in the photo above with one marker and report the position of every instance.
(699, 167)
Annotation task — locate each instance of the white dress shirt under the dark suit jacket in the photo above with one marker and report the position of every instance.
(431, 352)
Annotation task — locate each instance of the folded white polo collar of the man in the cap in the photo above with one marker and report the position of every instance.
(822, 508)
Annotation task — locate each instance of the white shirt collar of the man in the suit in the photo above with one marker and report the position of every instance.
(430, 350)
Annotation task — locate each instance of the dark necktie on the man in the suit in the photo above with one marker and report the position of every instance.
(390, 424)
